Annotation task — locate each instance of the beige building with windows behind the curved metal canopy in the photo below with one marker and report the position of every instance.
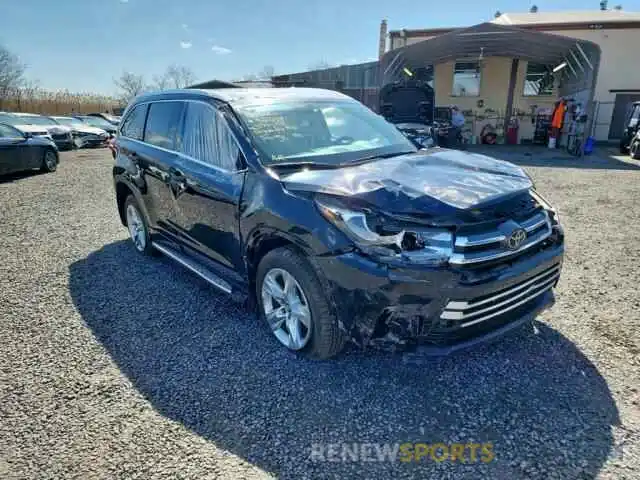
(480, 83)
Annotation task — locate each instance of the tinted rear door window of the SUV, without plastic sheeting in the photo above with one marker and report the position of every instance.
(164, 124)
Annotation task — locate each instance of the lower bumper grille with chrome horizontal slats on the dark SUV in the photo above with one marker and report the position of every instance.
(463, 314)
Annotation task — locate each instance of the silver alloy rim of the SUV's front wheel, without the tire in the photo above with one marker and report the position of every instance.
(286, 309)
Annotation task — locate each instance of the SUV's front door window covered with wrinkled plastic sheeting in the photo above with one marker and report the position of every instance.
(207, 137)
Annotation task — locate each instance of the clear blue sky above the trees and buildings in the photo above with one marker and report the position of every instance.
(82, 45)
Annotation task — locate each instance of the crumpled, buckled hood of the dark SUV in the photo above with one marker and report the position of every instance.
(418, 182)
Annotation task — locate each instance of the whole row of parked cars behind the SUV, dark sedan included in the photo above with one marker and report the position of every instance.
(29, 141)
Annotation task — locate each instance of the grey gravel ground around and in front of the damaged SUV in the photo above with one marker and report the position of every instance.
(117, 366)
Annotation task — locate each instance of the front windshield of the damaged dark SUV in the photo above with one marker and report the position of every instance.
(334, 132)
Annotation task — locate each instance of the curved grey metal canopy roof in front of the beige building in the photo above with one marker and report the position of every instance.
(491, 40)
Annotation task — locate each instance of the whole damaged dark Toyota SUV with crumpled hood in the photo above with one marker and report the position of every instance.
(337, 227)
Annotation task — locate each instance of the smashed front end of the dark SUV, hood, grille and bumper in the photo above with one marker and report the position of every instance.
(449, 248)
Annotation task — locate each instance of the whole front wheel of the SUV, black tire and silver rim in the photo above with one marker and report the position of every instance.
(294, 306)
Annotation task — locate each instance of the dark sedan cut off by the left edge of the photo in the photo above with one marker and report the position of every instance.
(22, 151)
